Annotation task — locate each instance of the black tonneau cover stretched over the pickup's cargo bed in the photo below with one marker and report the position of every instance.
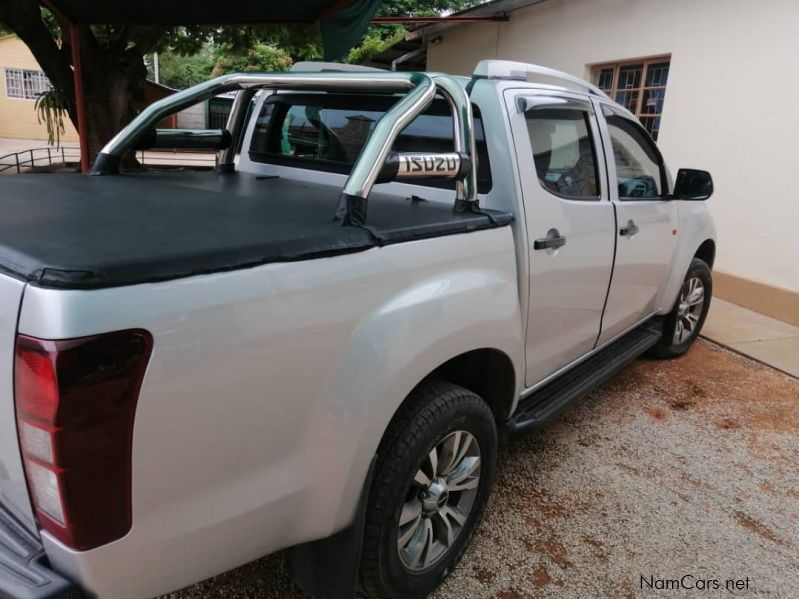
(78, 232)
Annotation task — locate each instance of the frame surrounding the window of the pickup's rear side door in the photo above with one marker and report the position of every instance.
(566, 103)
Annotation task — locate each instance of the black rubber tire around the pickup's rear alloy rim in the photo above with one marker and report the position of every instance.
(433, 411)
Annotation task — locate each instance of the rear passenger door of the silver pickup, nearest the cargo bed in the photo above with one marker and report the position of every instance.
(570, 226)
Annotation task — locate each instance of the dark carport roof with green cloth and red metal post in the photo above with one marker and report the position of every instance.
(342, 23)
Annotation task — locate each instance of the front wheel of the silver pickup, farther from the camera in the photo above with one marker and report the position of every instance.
(682, 326)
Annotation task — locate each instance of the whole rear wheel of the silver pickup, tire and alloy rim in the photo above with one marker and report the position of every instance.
(433, 476)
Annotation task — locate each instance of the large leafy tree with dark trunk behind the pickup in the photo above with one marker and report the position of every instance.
(115, 69)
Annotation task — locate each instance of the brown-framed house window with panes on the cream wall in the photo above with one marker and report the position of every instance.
(639, 86)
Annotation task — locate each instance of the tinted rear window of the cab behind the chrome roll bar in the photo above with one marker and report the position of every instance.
(328, 132)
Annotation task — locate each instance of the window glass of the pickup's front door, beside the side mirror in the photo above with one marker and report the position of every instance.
(639, 168)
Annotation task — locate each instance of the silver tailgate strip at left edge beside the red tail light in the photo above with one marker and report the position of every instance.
(13, 490)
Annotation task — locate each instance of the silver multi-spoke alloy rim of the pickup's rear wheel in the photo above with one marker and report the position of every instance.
(439, 500)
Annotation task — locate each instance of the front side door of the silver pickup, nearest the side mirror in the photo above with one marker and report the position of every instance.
(646, 237)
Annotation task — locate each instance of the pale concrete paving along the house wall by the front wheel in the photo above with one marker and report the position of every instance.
(765, 339)
